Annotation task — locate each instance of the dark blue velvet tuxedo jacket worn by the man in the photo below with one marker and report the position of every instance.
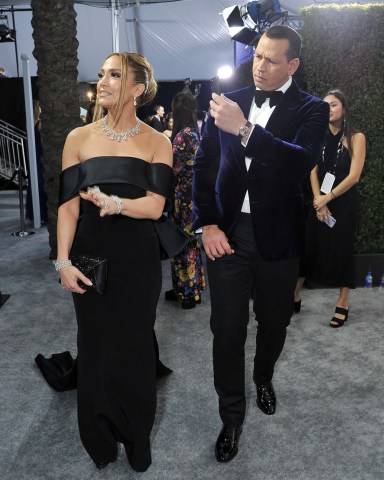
(283, 154)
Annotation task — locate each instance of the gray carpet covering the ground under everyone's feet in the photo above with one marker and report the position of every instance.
(329, 422)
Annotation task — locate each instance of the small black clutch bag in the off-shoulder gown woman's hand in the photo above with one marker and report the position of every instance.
(95, 269)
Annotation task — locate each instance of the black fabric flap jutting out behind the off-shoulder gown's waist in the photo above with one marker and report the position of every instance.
(172, 238)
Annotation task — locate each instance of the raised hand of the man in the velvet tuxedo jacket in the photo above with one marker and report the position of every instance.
(227, 114)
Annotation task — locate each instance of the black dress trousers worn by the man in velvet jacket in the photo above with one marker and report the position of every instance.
(230, 281)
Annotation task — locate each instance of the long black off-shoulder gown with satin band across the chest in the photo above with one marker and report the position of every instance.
(116, 354)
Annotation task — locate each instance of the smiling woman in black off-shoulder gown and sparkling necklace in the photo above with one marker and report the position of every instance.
(117, 173)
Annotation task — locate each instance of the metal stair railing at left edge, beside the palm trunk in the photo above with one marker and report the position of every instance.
(13, 148)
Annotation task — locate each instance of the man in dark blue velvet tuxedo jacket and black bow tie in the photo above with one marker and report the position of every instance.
(256, 149)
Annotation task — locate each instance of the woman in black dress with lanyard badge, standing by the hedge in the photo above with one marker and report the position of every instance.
(330, 249)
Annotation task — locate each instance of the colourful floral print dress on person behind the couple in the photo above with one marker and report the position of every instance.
(187, 267)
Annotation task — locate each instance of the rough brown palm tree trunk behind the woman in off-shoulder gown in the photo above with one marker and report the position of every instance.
(54, 34)
